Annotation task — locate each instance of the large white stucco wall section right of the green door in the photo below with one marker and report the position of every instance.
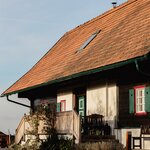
(102, 99)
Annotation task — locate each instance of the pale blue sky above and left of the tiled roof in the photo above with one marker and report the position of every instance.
(28, 29)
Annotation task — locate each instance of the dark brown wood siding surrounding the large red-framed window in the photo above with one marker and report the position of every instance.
(125, 118)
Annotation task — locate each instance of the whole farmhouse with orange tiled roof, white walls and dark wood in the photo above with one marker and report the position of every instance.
(100, 68)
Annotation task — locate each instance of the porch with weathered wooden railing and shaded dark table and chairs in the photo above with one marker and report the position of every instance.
(69, 123)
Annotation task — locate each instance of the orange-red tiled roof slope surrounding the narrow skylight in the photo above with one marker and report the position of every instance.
(125, 34)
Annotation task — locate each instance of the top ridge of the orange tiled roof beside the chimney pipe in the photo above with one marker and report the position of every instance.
(106, 13)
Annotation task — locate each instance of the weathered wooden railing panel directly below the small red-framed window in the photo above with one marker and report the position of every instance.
(68, 123)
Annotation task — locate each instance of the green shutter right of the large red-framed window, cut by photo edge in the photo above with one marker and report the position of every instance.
(147, 99)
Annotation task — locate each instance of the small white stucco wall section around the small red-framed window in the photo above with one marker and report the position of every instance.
(68, 96)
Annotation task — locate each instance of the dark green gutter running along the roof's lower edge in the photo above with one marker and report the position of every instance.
(88, 72)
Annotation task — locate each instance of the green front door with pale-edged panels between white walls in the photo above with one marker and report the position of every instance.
(81, 105)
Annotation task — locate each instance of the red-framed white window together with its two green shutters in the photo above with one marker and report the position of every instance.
(139, 100)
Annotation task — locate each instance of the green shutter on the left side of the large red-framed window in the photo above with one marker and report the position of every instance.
(131, 100)
